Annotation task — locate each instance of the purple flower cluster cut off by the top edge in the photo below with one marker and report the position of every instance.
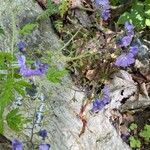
(105, 8)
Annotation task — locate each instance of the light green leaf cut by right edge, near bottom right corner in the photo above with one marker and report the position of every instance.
(146, 132)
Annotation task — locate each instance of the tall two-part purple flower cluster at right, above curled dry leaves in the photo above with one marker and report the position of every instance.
(126, 59)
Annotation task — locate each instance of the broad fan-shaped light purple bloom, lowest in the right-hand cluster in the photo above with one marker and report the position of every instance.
(125, 60)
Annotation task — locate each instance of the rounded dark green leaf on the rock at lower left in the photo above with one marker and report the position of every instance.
(15, 120)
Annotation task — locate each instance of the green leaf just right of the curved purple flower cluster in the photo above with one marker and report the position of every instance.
(55, 75)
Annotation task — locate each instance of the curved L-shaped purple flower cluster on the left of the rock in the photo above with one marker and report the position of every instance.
(27, 72)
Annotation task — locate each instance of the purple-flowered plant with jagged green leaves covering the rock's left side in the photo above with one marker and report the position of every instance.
(16, 74)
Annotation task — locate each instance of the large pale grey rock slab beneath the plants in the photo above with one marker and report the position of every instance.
(60, 116)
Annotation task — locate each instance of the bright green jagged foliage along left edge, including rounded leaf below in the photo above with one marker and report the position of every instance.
(10, 84)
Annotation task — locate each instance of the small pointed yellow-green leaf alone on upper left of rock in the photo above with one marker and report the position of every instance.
(28, 28)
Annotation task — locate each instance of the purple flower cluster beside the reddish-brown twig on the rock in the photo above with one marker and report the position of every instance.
(98, 104)
